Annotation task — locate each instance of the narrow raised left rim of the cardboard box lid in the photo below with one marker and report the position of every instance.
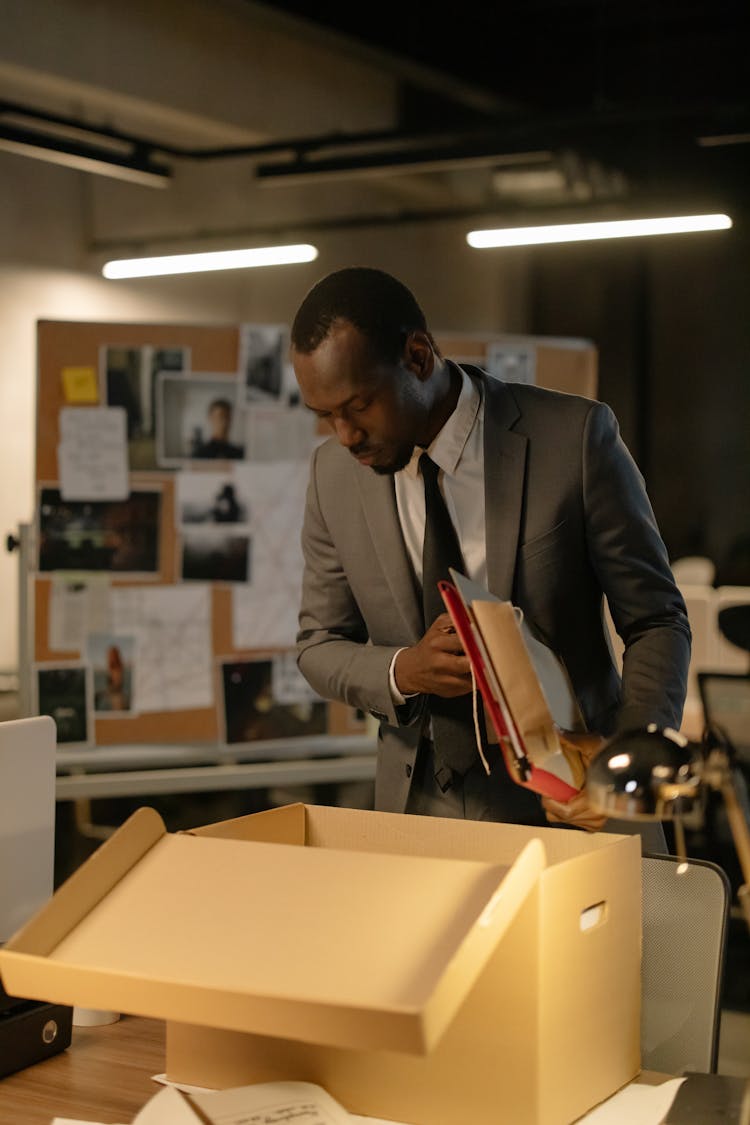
(87, 887)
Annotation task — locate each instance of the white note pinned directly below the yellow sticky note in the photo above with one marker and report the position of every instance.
(93, 460)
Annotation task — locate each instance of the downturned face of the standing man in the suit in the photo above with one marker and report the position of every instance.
(377, 411)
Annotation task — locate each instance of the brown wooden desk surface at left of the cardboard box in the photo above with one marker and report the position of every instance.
(105, 1076)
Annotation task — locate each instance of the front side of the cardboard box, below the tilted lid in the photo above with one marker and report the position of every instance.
(483, 1070)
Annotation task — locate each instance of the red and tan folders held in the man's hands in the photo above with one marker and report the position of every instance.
(526, 689)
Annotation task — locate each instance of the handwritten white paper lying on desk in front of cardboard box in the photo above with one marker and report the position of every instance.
(272, 1104)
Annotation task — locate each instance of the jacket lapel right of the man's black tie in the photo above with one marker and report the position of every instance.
(505, 470)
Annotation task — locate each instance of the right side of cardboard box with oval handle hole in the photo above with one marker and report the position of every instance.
(591, 924)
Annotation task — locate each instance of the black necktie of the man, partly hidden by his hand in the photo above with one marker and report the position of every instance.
(453, 723)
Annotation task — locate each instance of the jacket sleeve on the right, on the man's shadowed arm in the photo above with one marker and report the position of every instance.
(631, 562)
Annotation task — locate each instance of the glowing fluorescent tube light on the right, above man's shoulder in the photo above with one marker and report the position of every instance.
(585, 232)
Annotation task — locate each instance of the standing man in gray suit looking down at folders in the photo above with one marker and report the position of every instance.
(550, 512)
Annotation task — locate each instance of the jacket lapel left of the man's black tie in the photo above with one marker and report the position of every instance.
(378, 497)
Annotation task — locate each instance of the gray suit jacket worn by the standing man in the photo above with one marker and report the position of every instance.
(567, 520)
